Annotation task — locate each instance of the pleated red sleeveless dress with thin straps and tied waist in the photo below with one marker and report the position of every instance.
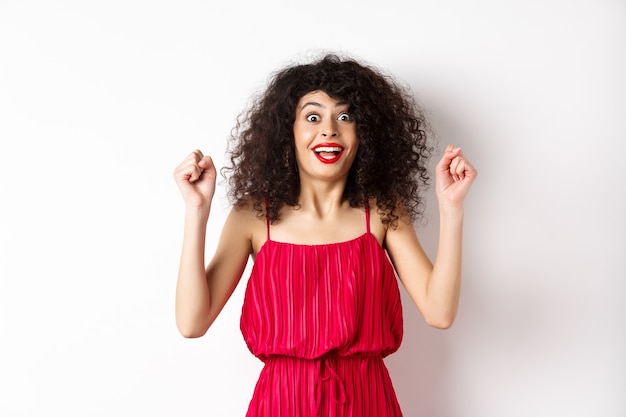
(322, 318)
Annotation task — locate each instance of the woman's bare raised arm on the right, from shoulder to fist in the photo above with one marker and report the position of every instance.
(435, 288)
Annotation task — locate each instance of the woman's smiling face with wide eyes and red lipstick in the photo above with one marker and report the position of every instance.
(325, 137)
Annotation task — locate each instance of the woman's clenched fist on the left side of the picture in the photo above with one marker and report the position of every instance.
(195, 177)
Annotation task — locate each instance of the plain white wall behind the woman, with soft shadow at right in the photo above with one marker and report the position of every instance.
(99, 101)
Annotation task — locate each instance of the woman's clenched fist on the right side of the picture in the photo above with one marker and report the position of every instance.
(453, 177)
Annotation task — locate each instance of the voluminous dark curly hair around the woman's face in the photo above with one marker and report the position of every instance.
(390, 164)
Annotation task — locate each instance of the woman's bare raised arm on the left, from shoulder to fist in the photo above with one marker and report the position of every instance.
(202, 293)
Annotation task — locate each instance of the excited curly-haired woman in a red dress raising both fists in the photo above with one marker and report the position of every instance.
(328, 169)
